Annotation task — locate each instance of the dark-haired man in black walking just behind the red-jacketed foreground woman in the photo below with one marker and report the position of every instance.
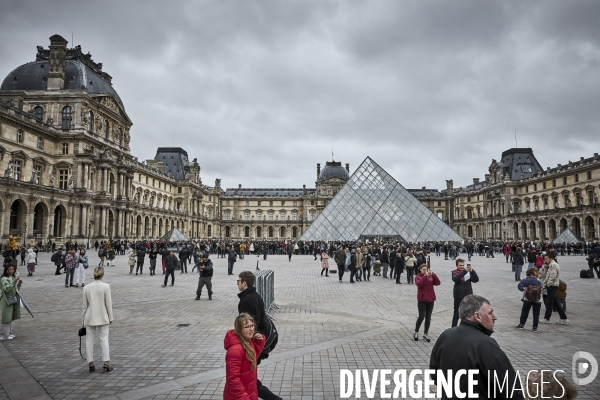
(251, 303)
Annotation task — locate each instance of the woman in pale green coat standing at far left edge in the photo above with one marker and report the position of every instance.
(10, 301)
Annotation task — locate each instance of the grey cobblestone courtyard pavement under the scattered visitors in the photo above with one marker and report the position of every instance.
(324, 326)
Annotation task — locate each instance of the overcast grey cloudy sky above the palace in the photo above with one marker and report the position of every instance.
(261, 91)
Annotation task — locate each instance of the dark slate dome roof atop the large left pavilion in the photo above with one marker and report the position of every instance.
(33, 76)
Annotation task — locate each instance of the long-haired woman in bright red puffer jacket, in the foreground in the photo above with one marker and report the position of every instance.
(243, 348)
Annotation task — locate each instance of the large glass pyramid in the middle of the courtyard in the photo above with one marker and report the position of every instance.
(372, 204)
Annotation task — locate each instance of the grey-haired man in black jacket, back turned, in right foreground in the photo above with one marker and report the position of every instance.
(469, 346)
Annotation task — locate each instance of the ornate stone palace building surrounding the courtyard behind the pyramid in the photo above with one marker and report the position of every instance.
(68, 173)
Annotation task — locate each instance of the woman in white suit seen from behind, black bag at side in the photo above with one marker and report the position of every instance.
(97, 315)
